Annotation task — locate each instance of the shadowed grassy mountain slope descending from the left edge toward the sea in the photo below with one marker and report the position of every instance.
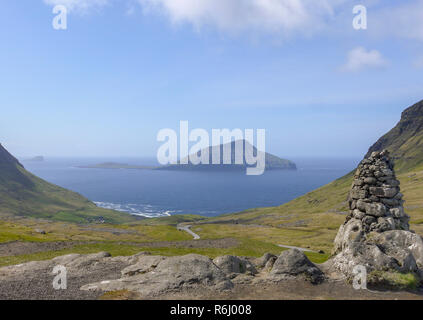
(24, 194)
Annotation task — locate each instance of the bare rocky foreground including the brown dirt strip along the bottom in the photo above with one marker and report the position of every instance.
(143, 276)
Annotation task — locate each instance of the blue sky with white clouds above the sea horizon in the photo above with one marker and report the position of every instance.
(125, 69)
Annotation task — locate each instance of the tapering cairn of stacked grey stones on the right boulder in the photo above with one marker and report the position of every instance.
(375, 198)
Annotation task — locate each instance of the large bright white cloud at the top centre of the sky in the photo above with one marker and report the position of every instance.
(286, 16)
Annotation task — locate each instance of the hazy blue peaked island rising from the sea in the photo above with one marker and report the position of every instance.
(272, 162)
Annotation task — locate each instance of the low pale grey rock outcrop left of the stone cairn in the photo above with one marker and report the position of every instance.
(150, 276)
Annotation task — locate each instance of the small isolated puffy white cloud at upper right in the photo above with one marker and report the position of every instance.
(359, 59)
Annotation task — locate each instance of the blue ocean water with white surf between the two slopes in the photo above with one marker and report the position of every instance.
(153, 193)
